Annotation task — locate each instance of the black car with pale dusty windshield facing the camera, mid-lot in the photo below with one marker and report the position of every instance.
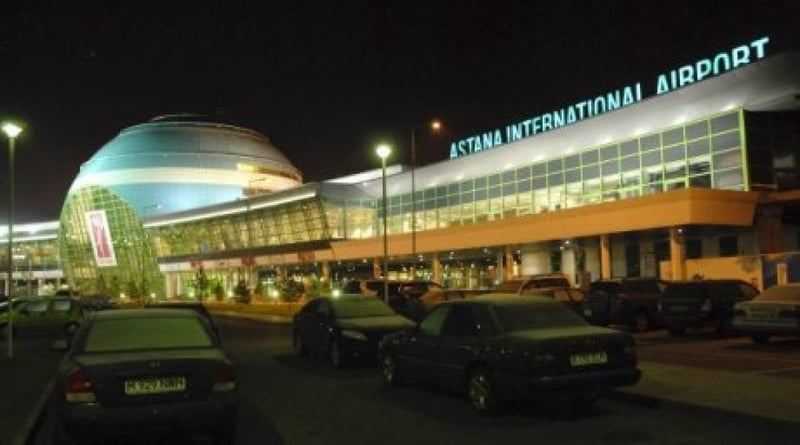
(345, 327)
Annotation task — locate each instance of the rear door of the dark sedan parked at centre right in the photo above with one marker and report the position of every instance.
(457, 347)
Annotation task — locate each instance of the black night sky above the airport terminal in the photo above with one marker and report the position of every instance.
(326, 81)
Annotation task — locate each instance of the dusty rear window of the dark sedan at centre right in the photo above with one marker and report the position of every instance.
(521, 317)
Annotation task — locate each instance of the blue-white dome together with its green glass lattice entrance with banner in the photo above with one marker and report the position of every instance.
(169, 165)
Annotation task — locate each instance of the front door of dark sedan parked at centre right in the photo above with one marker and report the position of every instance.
(420, 351)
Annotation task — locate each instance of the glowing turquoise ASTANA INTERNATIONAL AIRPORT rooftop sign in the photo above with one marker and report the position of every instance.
(628, 95)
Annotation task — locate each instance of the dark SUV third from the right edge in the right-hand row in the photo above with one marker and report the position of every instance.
(630, 302)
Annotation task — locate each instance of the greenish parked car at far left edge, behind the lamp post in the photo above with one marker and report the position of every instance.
(43, 314)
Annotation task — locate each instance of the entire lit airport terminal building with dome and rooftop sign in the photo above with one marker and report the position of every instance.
(694, 173)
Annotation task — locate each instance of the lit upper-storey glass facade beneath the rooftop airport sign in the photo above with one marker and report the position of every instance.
(707, 153)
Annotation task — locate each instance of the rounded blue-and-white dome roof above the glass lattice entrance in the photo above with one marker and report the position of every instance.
(183, 162)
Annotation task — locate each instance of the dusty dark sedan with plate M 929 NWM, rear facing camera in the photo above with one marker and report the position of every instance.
(131, 372)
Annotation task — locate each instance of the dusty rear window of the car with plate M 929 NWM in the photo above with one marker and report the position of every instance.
(132, 334)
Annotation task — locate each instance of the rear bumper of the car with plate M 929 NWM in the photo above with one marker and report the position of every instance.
(87, 423)
